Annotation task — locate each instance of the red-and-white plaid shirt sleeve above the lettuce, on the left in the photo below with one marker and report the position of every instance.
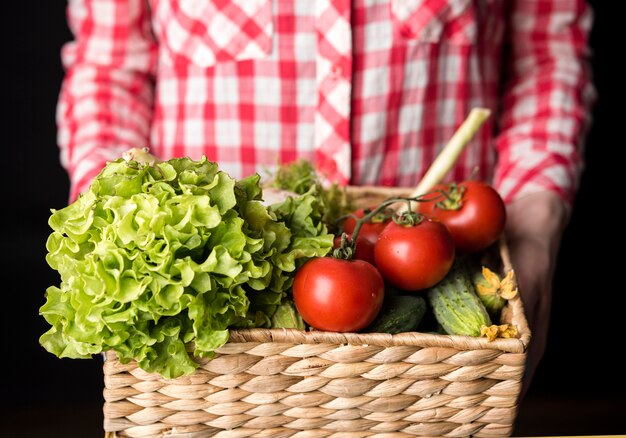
(105, 103)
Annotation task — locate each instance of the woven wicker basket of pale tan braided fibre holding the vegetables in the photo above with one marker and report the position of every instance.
(290, 383)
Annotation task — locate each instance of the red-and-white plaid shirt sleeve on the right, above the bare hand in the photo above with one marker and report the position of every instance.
(546, 99)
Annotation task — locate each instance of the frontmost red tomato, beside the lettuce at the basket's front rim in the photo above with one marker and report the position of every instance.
(338, 295)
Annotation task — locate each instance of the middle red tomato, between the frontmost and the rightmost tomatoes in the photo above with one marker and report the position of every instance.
(414, 257)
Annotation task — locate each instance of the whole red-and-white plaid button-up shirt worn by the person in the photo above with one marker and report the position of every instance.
(370, 90)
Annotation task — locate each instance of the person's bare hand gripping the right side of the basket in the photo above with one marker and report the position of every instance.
(534, 227)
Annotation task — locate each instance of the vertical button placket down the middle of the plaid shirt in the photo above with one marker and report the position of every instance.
(333, 76)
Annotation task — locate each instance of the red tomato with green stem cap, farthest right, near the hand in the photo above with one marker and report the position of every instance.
(475, 215)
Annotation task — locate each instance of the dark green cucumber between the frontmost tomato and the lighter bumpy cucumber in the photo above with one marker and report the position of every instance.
(399, 314)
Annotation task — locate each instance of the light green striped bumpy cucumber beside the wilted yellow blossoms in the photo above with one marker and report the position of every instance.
(455, 304)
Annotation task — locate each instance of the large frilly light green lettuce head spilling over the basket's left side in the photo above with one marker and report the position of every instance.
(158, 255)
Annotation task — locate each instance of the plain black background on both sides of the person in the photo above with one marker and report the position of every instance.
(579, 388)
